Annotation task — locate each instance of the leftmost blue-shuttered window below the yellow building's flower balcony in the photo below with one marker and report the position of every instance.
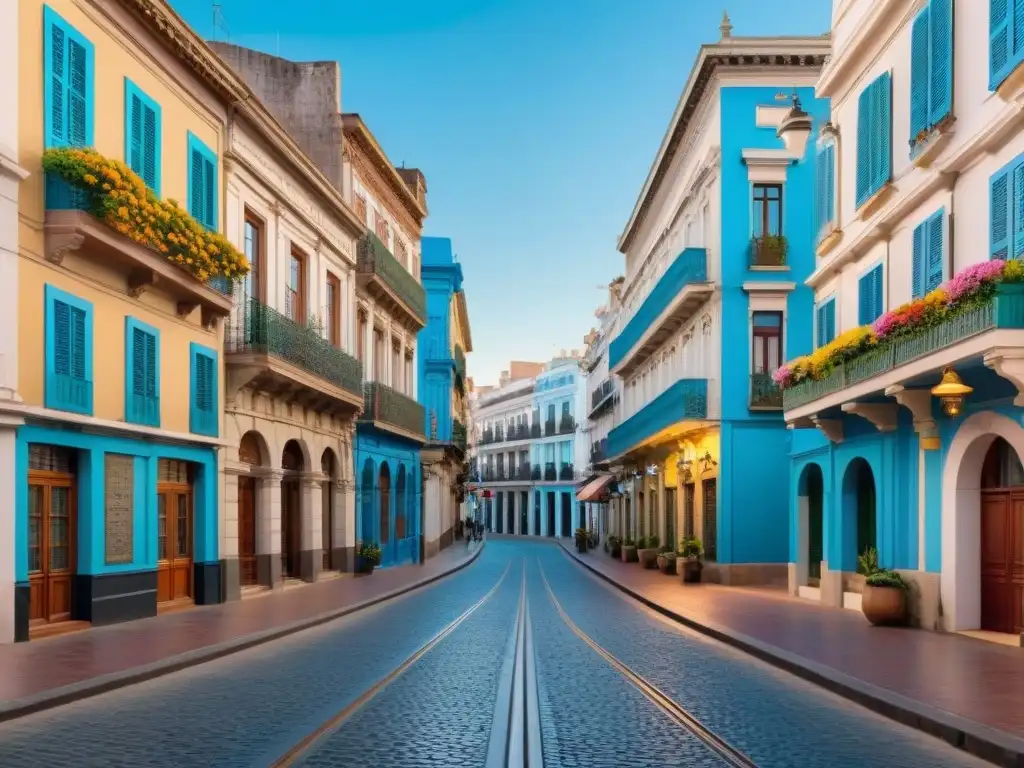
(69, 353)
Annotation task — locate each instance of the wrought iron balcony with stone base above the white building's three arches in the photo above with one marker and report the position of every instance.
(268, 352)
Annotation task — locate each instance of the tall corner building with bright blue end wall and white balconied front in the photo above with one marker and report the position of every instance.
(717, 251)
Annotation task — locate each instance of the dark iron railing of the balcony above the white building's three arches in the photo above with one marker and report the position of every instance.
(258, 329)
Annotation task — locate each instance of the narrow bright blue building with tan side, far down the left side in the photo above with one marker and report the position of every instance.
(444, 346)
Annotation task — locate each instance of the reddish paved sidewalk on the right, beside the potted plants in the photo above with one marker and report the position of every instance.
(966, 692)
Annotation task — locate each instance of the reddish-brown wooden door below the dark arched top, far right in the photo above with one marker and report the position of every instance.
(1003, 562)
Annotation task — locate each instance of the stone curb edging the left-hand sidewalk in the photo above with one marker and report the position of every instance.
(103, 685)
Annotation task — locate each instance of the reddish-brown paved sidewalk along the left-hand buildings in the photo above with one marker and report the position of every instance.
(55, 671)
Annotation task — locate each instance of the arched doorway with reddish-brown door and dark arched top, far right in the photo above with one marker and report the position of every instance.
(1002, 540)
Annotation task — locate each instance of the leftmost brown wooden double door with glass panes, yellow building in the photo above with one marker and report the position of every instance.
(52, 550)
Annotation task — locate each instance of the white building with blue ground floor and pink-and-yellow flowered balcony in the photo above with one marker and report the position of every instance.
(923, 181)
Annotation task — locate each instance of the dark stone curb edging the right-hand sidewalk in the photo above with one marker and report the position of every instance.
(982, 741)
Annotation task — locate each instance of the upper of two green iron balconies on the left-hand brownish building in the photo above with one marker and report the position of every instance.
(380, 274)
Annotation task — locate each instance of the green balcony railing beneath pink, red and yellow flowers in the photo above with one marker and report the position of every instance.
(1005, 311)
